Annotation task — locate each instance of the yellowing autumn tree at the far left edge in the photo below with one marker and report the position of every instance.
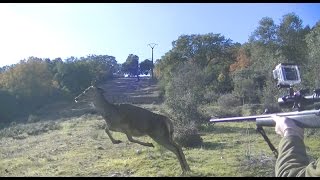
(31, 83)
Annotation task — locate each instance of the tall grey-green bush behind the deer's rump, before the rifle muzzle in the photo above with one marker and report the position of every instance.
(185, 94)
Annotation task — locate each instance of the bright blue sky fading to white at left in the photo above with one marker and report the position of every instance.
(52, 30)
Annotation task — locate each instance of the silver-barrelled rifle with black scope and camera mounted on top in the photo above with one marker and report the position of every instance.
(287, 75)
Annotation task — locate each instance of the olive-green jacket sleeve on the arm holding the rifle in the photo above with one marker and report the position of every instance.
(292, 159)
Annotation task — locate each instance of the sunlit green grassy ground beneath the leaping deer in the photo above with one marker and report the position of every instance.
(78, 146)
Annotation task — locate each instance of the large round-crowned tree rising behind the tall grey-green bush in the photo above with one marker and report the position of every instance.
(213, 53)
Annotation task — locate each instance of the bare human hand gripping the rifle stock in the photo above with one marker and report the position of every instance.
(286, 127)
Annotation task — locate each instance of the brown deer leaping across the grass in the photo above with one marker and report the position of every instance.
(134, 121)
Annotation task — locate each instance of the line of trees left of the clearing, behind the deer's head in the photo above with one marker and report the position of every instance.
(28, 85)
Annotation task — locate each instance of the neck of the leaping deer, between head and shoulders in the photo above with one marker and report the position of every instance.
(104, 107)
